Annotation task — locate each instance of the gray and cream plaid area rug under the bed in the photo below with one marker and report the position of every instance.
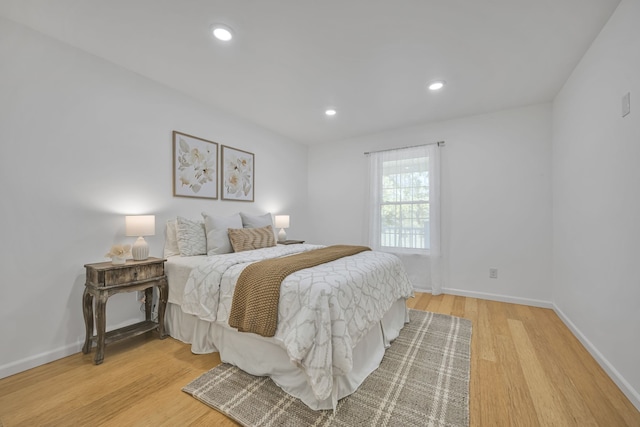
(423, 380)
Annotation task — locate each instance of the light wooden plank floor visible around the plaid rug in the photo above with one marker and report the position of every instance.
(527, 369)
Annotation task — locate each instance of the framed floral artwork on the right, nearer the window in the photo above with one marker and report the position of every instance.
(237, 174)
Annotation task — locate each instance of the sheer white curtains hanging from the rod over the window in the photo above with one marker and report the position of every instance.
(411, 234)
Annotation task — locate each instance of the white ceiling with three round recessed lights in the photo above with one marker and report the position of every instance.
(369, 59)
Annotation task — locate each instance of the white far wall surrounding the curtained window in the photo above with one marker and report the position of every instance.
(496, 175)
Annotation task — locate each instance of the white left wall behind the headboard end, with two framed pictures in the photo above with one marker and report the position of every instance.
(84, 142)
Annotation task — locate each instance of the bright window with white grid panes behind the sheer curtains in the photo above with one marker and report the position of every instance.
(400, 199)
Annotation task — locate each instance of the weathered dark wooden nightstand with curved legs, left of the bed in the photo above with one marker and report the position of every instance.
(105, 279)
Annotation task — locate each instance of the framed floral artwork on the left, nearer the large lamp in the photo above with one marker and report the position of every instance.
(195, 167)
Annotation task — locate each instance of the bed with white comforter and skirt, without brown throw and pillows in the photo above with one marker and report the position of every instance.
(334, 320)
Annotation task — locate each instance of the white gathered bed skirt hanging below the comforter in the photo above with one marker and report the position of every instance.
(266, 357)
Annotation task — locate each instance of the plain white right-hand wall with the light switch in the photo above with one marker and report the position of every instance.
(596, 199)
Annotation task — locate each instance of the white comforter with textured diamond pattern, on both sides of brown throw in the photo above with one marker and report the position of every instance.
(324, 311)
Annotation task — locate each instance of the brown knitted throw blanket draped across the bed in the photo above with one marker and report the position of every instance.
(257, 293)
